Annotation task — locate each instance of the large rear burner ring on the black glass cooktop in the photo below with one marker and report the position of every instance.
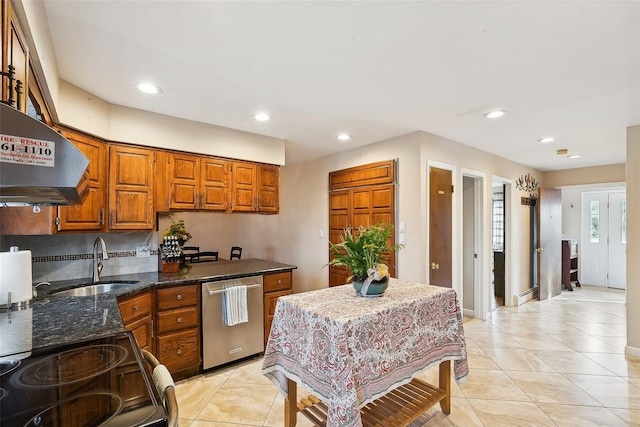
(71, 366)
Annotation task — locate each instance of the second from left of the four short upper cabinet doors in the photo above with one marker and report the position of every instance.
(214, 184)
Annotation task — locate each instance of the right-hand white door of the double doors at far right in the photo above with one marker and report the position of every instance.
(617, 256)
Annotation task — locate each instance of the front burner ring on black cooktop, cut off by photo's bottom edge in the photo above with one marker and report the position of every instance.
(96, 408)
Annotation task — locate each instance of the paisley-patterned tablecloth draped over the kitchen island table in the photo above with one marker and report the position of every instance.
(350, 350)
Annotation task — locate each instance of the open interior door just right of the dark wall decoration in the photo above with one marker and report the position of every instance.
(549, 242)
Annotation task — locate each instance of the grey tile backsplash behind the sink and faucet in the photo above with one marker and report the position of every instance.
(63, 257)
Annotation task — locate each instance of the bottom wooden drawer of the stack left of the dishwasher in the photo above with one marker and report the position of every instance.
(179, 350)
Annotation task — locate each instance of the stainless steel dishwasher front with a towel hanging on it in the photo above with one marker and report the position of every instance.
(221, 343)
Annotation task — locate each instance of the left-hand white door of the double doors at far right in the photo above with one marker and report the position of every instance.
(592, 259)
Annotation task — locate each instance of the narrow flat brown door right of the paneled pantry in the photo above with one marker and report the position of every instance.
(440, 227)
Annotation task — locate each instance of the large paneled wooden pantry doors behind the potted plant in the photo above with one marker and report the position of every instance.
(366, 200)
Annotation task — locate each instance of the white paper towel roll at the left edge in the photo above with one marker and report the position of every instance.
(15, 277)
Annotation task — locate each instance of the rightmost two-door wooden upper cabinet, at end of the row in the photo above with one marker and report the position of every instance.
(254, 188)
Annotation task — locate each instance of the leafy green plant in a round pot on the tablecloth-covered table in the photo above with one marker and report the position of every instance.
(365, 252)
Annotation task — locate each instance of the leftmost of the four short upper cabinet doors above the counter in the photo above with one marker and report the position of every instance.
(184, 172)
